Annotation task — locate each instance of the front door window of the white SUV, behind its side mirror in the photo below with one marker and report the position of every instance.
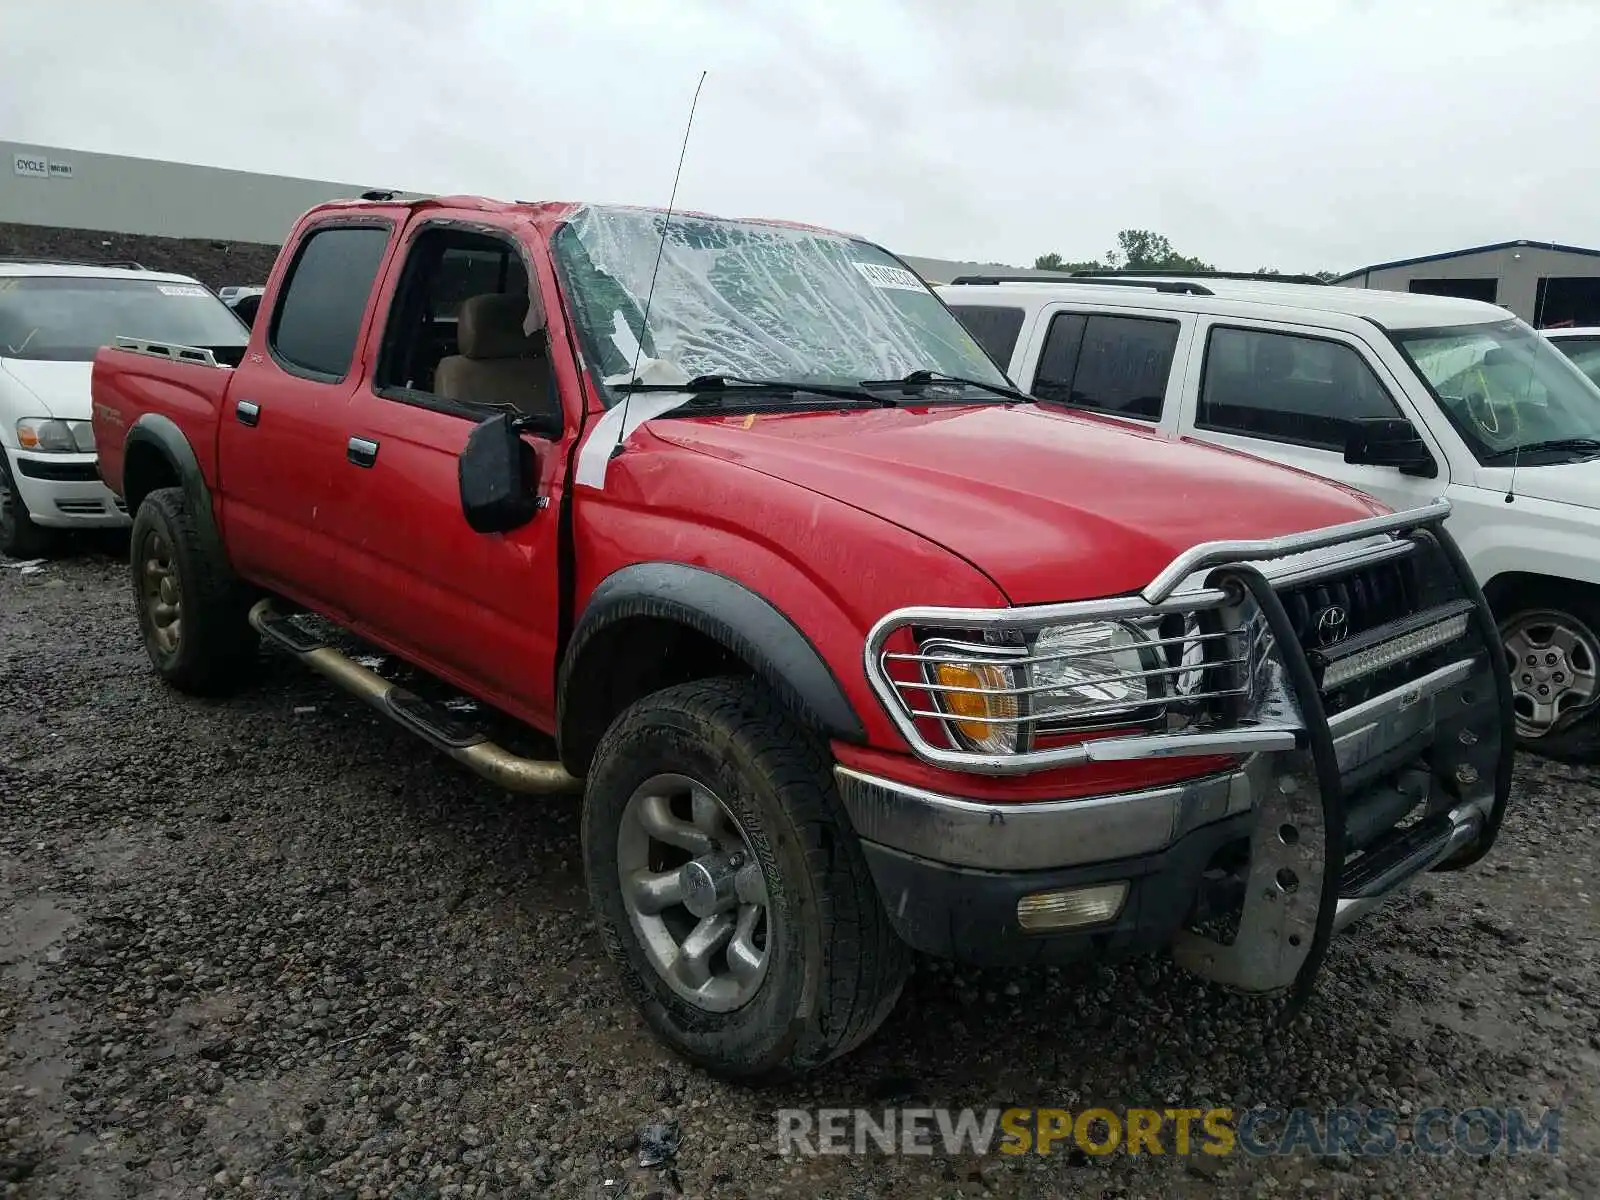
(1287, 388)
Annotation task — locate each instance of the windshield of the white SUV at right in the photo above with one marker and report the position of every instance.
(1508, 391)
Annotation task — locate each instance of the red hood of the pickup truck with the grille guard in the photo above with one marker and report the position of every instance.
(1049, 505)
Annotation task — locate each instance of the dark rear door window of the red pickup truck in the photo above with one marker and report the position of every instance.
(319, 319)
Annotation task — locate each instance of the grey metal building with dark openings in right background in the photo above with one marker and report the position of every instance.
(1543, 282)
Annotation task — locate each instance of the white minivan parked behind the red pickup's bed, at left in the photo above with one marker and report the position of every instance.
(54, 316)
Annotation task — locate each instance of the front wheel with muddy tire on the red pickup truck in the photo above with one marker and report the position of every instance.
(729, 886)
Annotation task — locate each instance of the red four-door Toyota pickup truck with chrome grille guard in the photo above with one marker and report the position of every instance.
(850, 647)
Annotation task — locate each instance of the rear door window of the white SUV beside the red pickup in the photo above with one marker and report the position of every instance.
(1108, 364)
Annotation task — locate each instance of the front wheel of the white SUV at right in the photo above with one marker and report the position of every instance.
(1529, 622)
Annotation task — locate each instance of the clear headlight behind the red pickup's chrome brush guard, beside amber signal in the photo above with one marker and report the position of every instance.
(1092, 673)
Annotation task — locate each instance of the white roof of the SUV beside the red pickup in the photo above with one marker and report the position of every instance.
(1390, 310)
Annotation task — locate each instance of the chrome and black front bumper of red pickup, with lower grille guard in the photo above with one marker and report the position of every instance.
(1292, 847)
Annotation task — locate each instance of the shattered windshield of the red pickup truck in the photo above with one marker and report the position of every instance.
(753, 302)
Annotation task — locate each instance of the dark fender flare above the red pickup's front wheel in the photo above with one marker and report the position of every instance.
(730, 614)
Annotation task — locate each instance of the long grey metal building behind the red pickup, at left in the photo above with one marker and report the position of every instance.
(215, 225)
